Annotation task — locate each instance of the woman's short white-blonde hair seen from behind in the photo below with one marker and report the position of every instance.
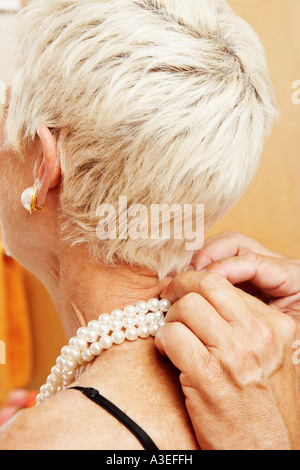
(156, 100)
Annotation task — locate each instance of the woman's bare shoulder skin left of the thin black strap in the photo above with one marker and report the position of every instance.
(65, 422)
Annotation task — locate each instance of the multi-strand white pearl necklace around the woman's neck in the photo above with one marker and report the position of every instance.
(140, 321)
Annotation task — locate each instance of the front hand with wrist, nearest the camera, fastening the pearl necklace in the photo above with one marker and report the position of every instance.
(235, 357)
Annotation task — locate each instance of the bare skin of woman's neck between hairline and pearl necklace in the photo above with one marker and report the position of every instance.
(82, 290)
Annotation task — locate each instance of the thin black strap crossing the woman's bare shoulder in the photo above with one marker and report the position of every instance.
(95, 396)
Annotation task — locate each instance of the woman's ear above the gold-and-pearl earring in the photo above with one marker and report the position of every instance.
(47, 171)
